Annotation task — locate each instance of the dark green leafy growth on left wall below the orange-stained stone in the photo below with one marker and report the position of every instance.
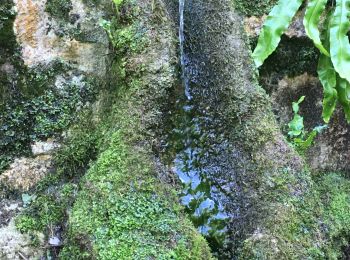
(30, 117)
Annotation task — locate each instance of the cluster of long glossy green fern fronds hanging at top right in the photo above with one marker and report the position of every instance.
(334, 62)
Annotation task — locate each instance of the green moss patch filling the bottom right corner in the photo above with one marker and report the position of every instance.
(314, 226)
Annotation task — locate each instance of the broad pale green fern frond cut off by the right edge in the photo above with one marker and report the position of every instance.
(339, 41)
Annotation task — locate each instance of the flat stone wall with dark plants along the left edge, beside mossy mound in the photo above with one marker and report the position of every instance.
(52, 60)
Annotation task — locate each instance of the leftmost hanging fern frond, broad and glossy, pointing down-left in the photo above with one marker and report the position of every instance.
(275, 25)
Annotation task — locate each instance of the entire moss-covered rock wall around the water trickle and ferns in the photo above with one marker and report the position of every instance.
(89, 91)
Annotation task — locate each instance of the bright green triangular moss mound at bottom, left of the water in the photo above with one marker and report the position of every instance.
(130, 214)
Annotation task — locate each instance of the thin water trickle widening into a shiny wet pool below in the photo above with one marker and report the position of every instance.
(196, 157)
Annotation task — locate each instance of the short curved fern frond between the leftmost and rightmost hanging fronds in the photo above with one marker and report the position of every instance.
(311, 21)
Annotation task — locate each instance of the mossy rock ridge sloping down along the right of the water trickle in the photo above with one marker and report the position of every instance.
(271, 192)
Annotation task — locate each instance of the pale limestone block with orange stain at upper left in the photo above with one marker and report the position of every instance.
(43, 38)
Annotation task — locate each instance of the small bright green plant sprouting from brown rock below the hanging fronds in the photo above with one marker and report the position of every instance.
(297, 134)
